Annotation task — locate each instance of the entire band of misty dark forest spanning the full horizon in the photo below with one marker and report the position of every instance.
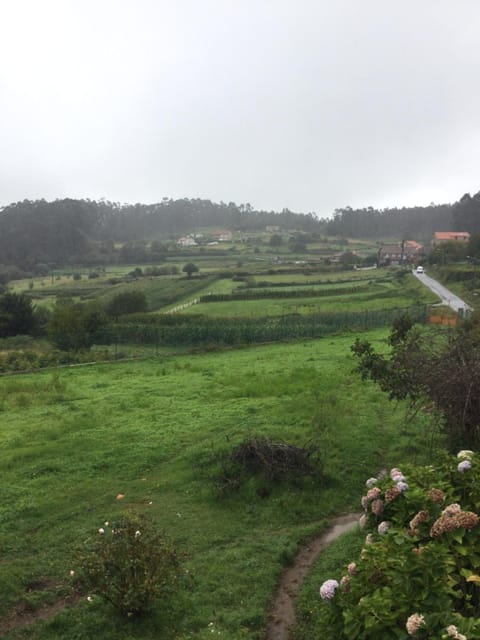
(71, 231)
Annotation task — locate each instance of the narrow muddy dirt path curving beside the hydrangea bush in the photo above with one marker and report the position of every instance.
(282, 614)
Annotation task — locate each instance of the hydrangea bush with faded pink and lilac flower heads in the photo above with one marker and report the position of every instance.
(418, 574)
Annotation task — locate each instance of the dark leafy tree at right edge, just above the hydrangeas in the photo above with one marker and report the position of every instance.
(442, 371)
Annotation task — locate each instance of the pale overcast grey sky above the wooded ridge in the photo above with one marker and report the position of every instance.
(307, 104)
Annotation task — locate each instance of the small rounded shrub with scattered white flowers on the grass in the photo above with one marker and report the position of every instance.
(128, 564)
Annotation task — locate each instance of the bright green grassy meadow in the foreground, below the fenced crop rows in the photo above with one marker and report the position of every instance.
(73, 439)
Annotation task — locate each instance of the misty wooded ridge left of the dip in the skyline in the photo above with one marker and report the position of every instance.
(76, 231)
